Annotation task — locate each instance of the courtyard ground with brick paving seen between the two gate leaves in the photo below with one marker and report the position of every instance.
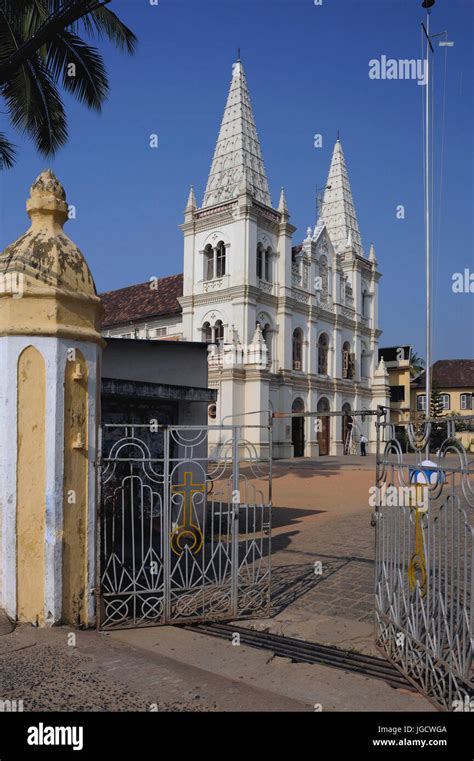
(322, 513)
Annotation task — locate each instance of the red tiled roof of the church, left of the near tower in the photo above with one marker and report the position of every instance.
(141, 302)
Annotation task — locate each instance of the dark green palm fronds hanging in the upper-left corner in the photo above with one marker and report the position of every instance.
(42, 48)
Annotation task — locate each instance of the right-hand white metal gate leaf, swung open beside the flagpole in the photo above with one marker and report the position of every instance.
(424, 558)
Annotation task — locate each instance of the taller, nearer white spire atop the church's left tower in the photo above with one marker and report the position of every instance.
(237, 148)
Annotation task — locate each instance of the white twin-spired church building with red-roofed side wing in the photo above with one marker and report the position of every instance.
(290, 328)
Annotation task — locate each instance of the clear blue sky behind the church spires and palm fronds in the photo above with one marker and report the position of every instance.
(307, 68)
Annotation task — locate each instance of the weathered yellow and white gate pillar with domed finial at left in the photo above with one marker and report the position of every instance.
(50, 347)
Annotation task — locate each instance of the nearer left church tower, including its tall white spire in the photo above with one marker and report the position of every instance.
(237, 258)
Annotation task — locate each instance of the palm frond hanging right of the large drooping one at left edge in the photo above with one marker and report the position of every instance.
(89, 83)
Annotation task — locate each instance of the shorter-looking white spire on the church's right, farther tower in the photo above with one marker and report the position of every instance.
(338, 210)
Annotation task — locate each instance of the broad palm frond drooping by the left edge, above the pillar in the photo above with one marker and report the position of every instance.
(35, 106)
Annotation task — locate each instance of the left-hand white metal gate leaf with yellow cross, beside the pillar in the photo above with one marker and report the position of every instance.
(185, 524)
